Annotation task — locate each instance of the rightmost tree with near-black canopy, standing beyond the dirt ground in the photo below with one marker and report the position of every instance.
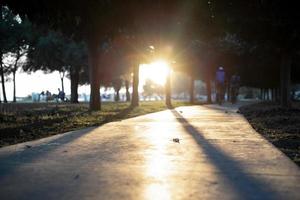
(272, 24)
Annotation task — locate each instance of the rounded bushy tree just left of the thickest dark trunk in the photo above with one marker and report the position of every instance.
(52, 52)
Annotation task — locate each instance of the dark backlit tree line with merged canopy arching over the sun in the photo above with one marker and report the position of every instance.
(258, 39)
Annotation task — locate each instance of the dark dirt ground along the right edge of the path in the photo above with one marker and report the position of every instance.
(280, 126)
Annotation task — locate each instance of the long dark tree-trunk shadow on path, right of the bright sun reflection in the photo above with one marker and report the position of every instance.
(244, 184)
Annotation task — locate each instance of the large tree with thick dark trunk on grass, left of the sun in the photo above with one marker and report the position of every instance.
(88, 21)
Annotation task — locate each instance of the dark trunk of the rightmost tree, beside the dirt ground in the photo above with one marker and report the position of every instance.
(285, 79)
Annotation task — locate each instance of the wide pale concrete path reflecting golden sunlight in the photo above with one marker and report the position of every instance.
(218, 156)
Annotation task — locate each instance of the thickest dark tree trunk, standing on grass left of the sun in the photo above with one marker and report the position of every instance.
(93, 57)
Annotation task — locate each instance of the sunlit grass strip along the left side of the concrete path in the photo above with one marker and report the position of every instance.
(25, 122)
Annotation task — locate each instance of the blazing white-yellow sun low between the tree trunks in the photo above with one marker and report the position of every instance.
(156, 71)
